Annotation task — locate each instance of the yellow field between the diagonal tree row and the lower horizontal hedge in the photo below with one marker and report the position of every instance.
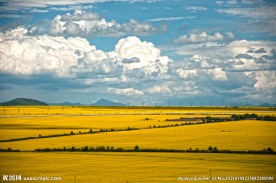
(241, 135)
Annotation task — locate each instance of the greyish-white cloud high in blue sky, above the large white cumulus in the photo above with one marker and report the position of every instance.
(89, 24)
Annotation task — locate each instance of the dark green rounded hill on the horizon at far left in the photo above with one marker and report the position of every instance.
(24, 102)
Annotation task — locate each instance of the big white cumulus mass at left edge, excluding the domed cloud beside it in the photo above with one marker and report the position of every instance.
(23, 54)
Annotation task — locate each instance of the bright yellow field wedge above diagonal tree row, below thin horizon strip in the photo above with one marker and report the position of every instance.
(25, 126)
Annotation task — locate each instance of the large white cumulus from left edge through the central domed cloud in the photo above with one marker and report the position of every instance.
(75, 57)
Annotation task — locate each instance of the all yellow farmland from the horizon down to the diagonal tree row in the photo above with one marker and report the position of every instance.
(18, 122)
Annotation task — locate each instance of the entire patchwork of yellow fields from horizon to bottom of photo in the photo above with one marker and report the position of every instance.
(20, 122)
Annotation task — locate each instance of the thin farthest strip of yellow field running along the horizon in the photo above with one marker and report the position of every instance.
(81, 110)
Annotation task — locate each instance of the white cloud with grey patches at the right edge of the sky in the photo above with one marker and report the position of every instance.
(239, 55)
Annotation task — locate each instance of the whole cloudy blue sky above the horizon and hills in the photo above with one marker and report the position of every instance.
(151, 52)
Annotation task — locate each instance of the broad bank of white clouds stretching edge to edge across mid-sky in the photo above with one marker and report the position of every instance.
(137, 68)
